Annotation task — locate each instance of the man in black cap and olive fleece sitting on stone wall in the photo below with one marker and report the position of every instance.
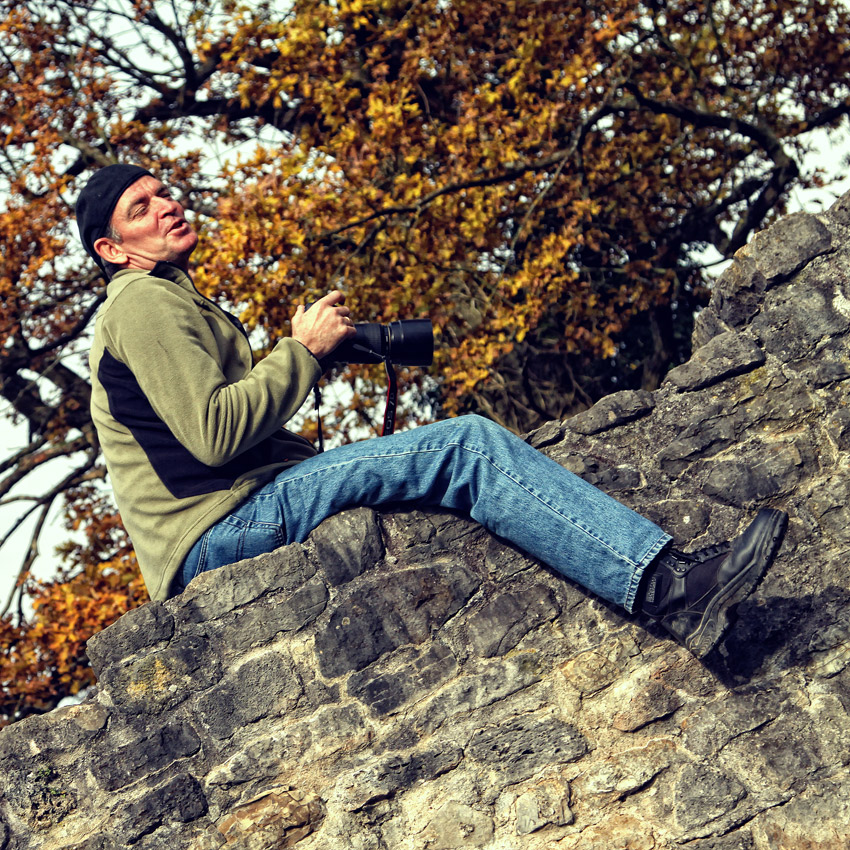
(205, 474)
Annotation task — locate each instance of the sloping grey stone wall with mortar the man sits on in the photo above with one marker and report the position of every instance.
(407, 681)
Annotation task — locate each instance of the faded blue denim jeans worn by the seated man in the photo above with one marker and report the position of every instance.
(468, 464)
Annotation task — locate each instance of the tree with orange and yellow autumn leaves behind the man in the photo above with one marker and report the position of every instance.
(538, 177)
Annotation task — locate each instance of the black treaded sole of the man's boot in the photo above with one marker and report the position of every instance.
(756, 548)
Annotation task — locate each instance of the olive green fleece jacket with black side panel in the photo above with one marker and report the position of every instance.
(189, 426)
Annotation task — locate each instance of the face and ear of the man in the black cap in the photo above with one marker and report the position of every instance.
(151, 226)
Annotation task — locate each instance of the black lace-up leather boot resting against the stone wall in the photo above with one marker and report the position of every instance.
(691, 594)
